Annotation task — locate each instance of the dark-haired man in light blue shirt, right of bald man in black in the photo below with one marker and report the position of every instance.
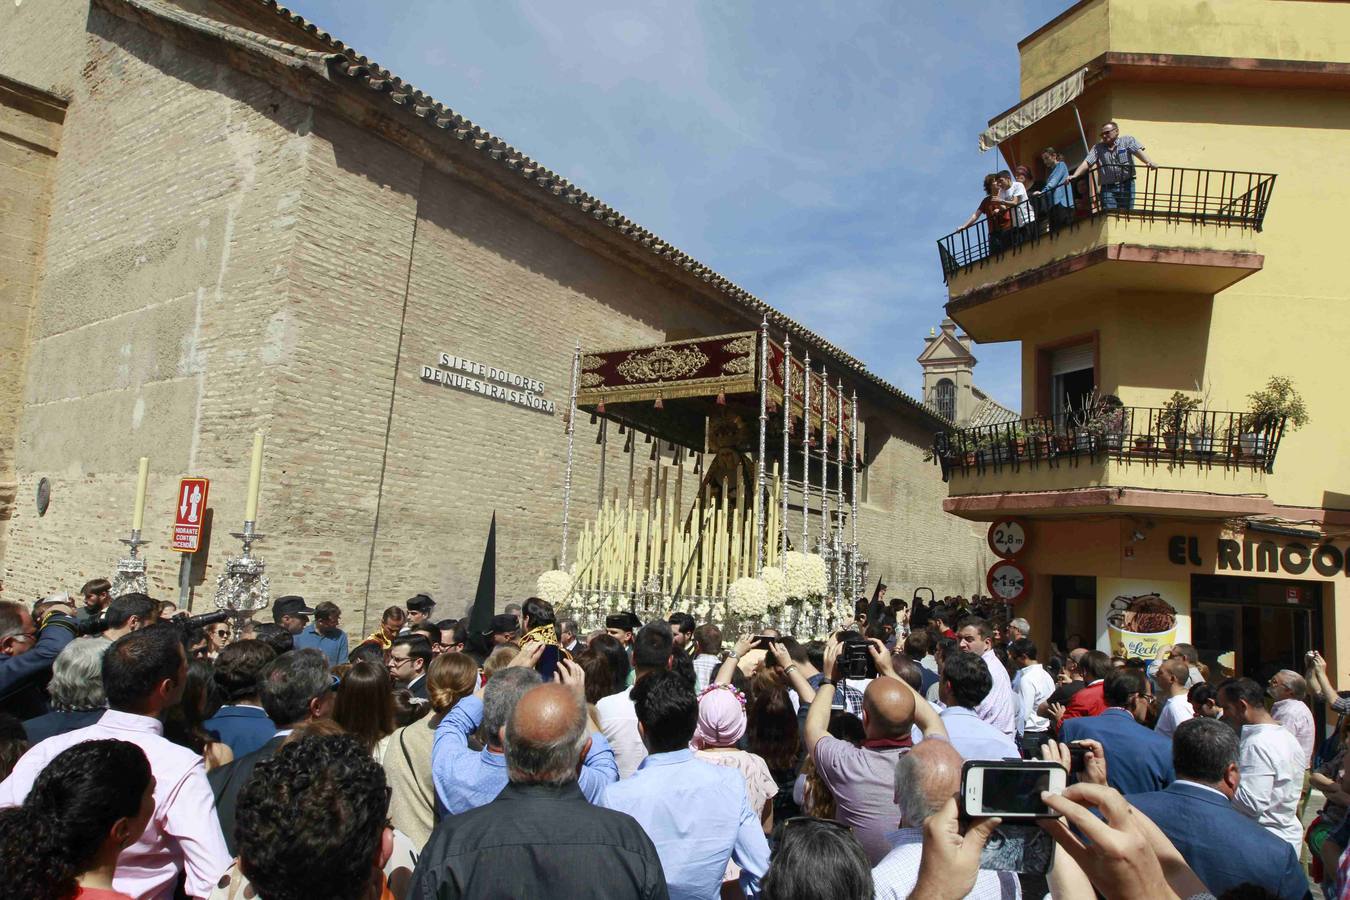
(696, 813)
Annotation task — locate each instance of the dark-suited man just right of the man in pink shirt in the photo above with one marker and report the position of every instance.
(295, 689)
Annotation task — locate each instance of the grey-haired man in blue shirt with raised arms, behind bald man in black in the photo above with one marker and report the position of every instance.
(466, 779)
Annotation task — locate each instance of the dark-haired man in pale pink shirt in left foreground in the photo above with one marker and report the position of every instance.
(144, 674)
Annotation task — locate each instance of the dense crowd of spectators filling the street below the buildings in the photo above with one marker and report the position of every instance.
(146, 754)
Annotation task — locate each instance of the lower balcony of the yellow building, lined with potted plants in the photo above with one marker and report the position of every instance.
(1120, 457)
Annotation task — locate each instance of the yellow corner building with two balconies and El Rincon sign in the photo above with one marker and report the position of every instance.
(1210, 275)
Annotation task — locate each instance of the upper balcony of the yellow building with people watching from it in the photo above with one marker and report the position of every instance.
(1198, 223)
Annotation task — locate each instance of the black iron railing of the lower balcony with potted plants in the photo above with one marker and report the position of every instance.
(1145, 435)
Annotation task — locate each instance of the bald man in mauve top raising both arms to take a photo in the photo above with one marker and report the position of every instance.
(863, 779)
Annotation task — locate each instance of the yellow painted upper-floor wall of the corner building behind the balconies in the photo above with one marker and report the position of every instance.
(1289, 319)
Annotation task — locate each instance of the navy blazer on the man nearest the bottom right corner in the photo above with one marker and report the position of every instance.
(1224, 847)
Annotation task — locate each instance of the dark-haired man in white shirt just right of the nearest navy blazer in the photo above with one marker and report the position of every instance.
(1270, 762)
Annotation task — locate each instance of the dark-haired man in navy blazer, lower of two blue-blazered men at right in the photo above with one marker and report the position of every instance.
(1225, 848)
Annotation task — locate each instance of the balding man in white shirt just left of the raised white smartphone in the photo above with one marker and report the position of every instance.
(925, 779)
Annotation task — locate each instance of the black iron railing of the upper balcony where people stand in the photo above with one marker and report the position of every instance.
(1212, 196)
